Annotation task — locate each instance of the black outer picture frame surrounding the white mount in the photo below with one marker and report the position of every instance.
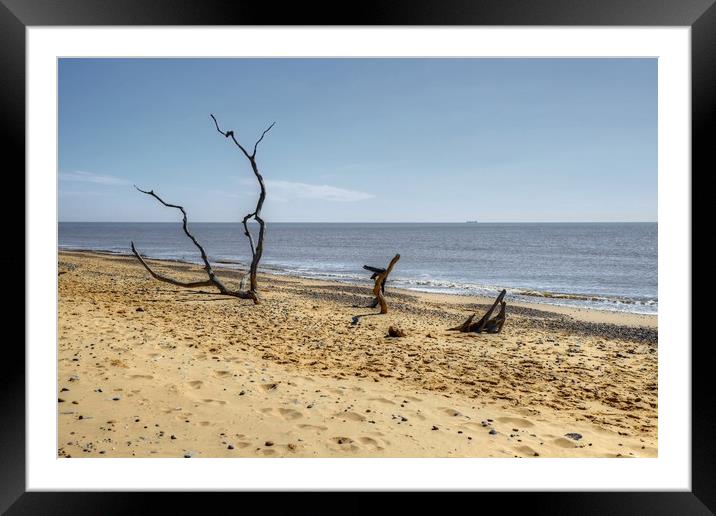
(17, 15)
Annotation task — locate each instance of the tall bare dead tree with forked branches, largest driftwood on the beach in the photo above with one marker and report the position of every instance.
(256, 250)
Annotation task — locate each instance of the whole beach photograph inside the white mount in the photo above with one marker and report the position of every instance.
(357, 258)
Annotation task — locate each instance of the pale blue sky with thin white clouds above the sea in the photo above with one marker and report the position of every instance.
(361, 140)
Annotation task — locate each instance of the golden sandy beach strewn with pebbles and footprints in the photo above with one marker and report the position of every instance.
(151, 370)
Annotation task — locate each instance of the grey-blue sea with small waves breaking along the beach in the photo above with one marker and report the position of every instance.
(607, 266)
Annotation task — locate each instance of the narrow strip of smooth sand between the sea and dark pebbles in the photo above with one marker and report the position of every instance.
(586, 314)
